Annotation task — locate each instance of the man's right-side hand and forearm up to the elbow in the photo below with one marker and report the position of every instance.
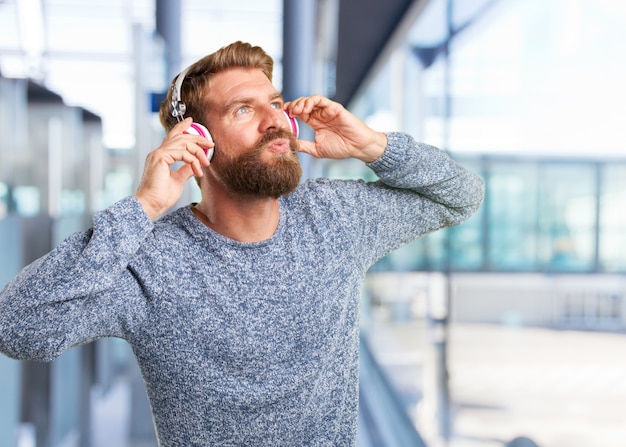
(401, 163)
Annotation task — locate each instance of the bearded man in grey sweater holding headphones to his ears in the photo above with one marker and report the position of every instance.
(242, 310)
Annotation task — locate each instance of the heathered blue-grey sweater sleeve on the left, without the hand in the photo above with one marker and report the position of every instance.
(80, 291)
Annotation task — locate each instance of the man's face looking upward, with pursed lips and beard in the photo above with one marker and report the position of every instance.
(255, 150)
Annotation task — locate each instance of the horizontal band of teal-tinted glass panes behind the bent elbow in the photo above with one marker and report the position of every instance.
(538, 216)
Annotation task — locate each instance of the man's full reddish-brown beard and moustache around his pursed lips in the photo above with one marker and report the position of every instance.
(248, 174)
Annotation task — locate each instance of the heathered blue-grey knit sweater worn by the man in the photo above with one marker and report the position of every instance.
(240, 344)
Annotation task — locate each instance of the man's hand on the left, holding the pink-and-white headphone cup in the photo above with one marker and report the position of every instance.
(160, 186)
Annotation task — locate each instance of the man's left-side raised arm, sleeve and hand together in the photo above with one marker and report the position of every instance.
(84, 289)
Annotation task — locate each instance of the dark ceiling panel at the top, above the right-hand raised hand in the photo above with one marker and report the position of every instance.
(365, 26)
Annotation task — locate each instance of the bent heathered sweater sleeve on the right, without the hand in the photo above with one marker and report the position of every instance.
(420, 189)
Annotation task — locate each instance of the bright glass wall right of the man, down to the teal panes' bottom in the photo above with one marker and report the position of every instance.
(528, 94)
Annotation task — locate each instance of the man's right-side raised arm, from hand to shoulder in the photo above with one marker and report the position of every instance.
(421, 188)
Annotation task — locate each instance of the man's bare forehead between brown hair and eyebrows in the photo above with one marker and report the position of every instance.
(236, 83)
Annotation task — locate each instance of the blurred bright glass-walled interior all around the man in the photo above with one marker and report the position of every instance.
(505, 331)
